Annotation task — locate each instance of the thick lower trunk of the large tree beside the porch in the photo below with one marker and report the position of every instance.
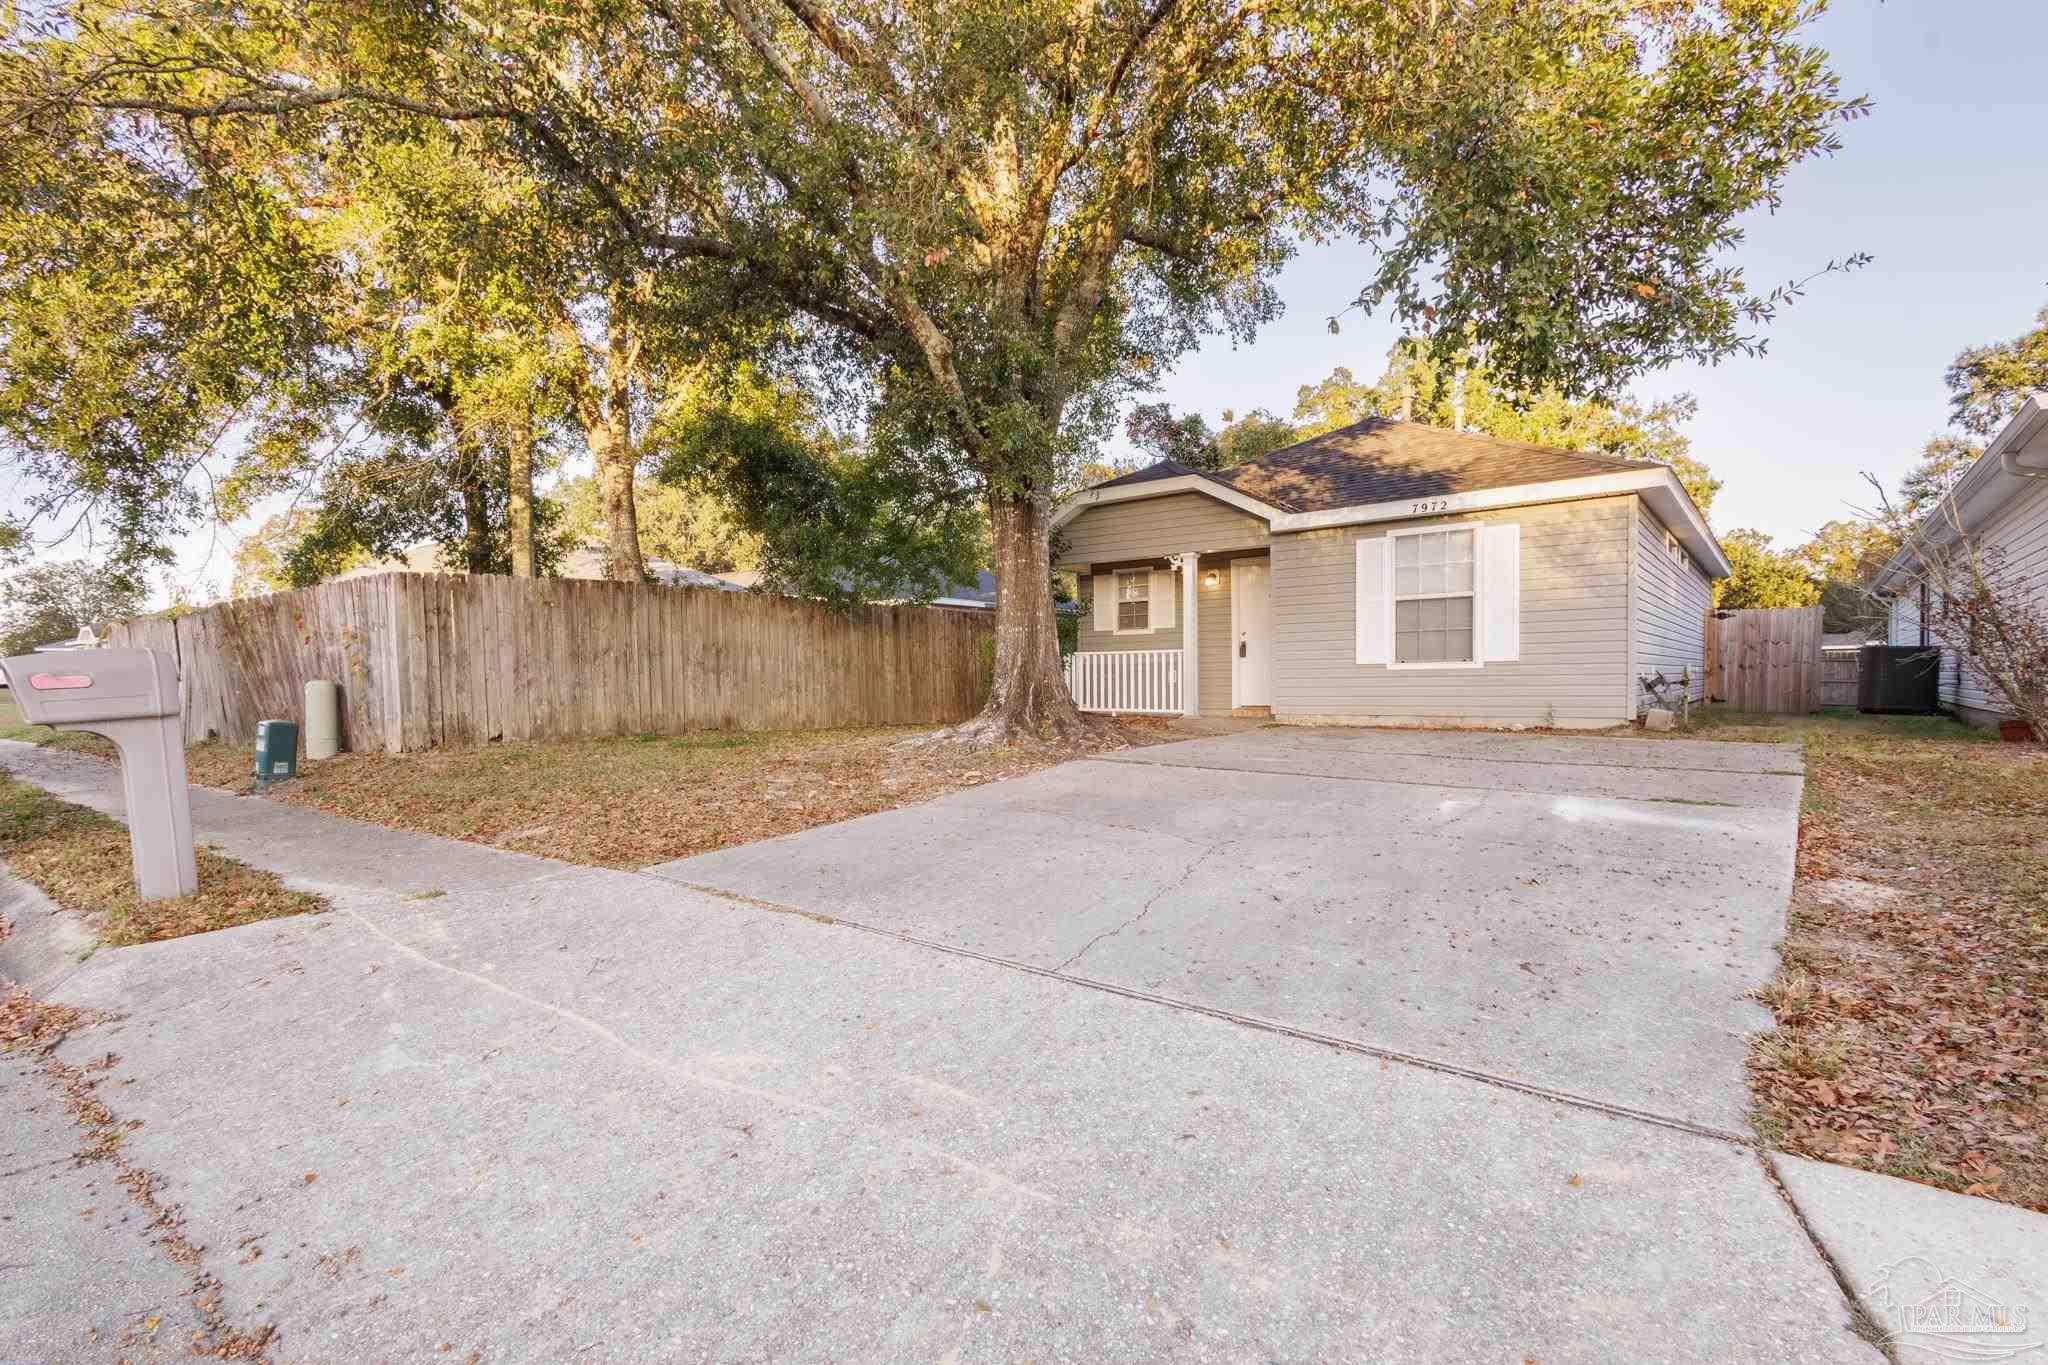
(1029, 699)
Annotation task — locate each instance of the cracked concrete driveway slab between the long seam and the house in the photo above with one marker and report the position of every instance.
(1576, 916)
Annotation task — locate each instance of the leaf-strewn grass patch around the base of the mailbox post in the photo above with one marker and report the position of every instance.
(83, 863)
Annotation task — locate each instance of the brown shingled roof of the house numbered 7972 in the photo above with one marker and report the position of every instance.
(1390, 461)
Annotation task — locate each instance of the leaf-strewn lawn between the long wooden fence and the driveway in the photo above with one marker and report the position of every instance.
(630, 803)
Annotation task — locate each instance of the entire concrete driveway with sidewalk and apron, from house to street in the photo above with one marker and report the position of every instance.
(1076, 1067)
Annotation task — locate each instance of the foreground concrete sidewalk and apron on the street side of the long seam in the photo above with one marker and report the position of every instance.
(581, 1114)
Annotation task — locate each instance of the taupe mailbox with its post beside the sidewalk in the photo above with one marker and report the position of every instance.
(132, 699)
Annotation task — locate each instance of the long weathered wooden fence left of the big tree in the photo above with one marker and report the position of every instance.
(437, 660)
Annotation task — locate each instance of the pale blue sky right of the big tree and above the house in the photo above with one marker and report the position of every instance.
(1947, 183)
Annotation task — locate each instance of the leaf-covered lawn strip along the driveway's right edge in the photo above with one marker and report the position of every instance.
(1914, 998)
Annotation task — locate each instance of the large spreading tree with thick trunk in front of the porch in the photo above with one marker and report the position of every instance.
(1011, 214)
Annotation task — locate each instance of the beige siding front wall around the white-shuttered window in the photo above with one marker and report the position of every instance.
(1574, 666)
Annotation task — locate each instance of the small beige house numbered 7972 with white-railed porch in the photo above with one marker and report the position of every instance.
(1392, 574)
